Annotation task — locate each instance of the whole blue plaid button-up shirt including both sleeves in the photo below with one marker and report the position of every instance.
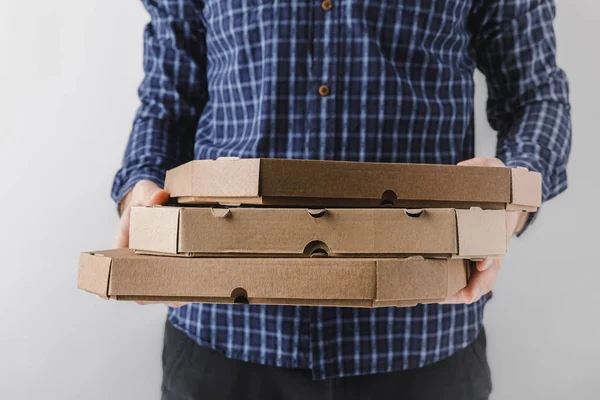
(243, 78)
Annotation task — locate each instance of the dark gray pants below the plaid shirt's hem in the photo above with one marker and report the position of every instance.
(193, 372)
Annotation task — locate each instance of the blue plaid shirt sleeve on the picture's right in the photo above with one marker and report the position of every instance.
(528, 101)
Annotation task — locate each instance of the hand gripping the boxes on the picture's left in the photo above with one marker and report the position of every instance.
(144, 193)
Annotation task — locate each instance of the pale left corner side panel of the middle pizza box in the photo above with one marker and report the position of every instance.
(154, 228)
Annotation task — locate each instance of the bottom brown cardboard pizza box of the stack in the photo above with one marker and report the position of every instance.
(363, 282)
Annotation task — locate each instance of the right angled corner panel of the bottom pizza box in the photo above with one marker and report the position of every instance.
(411, 278)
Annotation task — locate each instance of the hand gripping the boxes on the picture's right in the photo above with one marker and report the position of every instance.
(484, 277)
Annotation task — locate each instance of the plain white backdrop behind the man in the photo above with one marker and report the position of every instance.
(68, 77)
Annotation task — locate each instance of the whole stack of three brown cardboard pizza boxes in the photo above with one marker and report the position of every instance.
(302, 232)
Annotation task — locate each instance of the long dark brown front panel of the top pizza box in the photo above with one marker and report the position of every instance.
(328, 179)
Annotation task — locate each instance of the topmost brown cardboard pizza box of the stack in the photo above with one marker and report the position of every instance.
(283, 182)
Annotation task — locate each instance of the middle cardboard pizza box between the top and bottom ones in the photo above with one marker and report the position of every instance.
(191, 231)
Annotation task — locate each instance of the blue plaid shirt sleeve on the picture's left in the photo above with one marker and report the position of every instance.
(172, 94)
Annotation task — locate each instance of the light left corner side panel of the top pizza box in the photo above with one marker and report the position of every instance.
(215, 178)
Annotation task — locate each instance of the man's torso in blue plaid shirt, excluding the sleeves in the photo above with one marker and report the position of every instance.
(399, 77)
